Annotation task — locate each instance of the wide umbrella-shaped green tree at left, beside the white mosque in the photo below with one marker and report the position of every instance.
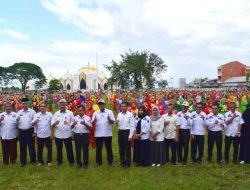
(25, 72)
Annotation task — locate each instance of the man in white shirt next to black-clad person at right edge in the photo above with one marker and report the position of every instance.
(233, 121)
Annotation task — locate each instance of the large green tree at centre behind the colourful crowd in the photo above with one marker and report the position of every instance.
(136, 69)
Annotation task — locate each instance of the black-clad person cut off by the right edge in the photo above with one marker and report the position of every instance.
(245, 137)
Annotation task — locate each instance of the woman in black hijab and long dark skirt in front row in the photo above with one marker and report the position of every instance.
(142, 142)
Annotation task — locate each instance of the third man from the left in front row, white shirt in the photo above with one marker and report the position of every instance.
(44, 133)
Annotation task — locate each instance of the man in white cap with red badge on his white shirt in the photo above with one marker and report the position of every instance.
(62, 121)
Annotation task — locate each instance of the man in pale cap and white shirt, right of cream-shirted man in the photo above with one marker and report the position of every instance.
(185, 118)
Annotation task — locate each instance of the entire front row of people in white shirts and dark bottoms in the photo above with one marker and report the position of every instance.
(154, 135)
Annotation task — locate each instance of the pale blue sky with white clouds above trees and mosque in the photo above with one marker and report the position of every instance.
(193, 37)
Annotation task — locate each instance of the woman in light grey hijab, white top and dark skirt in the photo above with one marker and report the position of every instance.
(157, 149)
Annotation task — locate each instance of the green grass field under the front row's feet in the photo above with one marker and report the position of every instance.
(205, 176)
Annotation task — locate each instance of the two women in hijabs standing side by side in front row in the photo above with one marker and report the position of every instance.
(149, 138)
